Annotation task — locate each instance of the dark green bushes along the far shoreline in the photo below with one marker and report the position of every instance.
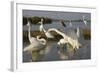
(35, 19)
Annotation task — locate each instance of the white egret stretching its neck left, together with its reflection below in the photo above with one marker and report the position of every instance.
(67, 44)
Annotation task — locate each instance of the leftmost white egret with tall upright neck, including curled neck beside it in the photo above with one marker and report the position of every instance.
(35, 43)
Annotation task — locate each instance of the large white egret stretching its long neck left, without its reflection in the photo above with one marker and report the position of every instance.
(66, 39)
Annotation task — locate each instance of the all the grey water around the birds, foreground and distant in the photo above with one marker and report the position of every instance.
(52, 52)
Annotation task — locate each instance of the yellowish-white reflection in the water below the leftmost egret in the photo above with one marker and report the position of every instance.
(37, 55)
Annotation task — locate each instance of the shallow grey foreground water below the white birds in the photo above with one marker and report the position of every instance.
(51, 52)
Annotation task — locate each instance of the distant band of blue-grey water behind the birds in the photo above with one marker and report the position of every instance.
(56, 24)
